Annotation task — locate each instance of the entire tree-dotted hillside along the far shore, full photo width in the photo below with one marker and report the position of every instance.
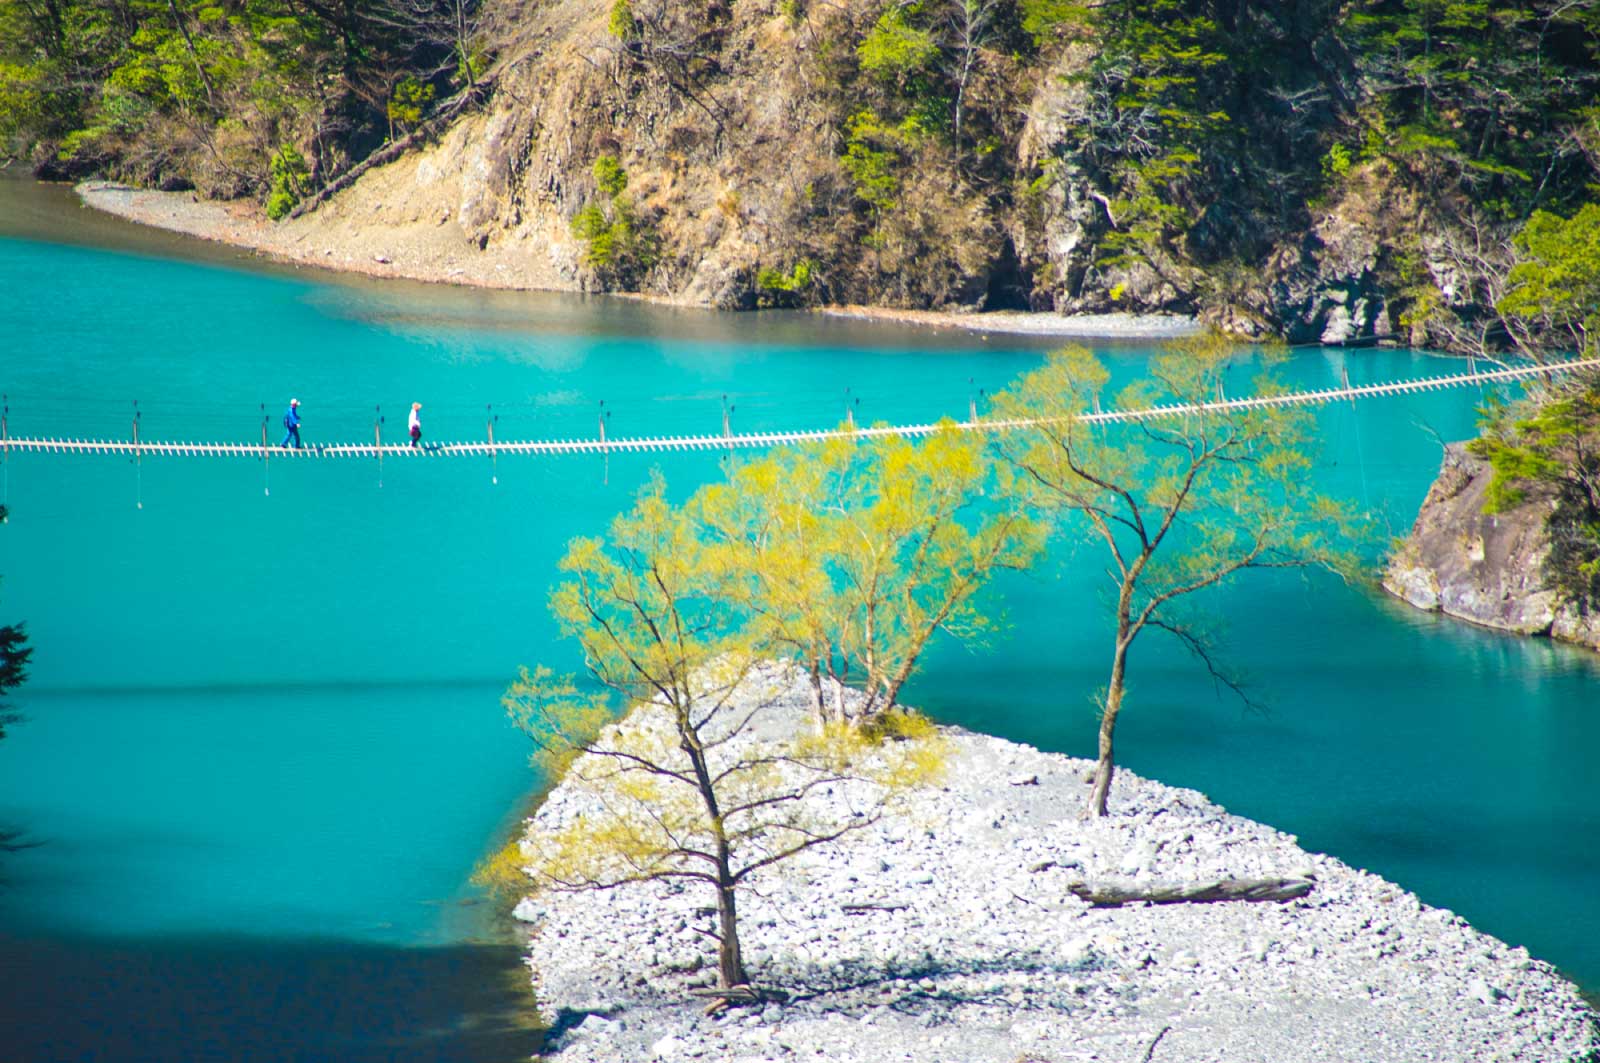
(1322, 170)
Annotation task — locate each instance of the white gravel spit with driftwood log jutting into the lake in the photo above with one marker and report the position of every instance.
(951, 937)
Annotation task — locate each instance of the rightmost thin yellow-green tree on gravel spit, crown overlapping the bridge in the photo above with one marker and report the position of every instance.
(1175, 505)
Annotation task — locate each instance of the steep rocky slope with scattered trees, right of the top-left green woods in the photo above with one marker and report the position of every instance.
(1276, 172)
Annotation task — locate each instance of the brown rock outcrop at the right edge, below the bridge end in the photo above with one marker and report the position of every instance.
(1484, 568)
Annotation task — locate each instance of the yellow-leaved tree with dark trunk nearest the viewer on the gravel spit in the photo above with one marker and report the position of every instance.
(703, 780)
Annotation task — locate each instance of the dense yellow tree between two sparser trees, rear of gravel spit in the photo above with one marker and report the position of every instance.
(854, 555)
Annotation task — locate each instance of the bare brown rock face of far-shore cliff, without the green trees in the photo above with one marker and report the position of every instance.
(742, 164)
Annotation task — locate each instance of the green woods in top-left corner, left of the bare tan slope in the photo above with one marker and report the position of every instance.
(234, 100)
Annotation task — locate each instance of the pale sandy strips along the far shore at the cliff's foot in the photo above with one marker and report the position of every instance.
(438, 254)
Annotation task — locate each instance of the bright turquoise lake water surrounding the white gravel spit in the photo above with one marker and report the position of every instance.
(265, 745)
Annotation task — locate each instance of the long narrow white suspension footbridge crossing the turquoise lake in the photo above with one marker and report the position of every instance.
(652, 444)
